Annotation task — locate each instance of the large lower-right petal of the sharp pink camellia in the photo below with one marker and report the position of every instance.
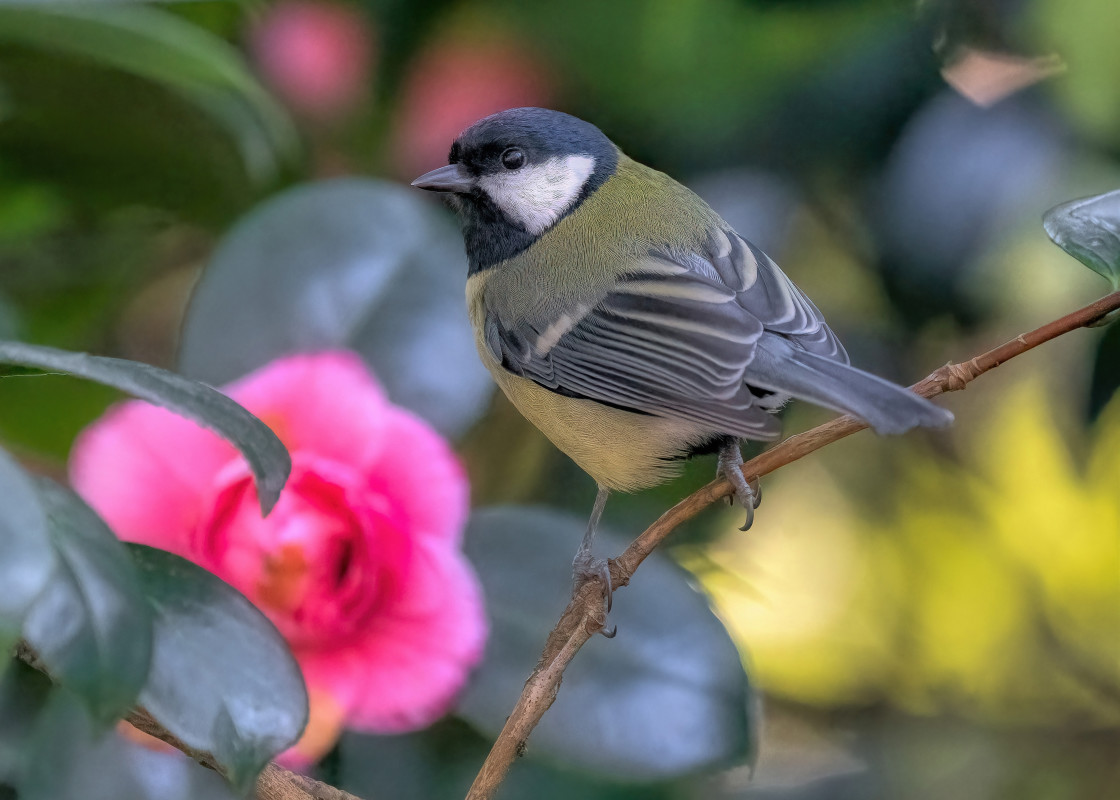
(407, 671)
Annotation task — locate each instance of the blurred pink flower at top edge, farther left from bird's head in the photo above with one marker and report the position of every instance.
(318, 57)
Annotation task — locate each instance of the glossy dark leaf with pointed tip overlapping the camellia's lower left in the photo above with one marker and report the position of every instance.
(222, 677)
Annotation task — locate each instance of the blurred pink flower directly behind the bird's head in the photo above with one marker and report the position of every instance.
(454, 83)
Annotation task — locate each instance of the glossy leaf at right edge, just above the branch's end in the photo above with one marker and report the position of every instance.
(1089, 230)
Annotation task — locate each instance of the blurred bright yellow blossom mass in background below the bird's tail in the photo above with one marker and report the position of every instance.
(991, 591)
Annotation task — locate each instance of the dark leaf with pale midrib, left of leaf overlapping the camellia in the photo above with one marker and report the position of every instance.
(90, 626)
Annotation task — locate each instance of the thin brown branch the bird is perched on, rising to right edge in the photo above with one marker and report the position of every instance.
(584, 615)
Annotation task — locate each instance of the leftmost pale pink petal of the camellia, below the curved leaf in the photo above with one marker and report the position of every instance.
(145, 470)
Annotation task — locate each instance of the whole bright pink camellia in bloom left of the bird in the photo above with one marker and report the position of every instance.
(360, 564)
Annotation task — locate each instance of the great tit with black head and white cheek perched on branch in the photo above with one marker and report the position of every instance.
(628, 321)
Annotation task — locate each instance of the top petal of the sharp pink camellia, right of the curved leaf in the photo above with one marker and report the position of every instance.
(328, 403)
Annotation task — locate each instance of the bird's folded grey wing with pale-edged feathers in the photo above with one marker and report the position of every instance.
(673, 339)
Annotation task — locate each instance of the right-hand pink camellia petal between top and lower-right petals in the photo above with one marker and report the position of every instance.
(424, 478)
